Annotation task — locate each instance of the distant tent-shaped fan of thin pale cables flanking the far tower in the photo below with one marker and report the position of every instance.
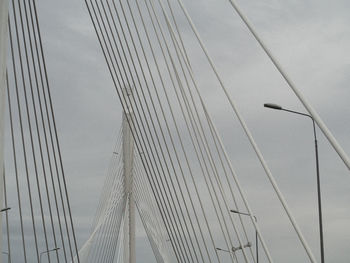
(110, 238)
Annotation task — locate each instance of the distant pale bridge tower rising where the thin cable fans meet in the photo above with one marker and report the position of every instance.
(128, 159)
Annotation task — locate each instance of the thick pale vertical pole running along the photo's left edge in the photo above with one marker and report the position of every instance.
(3, 52)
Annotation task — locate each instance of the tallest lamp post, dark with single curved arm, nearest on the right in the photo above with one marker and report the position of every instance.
(278, 107)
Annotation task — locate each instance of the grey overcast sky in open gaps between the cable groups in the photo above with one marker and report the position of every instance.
(311, 39)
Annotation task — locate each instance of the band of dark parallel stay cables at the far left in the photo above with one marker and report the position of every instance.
(39, 224)
